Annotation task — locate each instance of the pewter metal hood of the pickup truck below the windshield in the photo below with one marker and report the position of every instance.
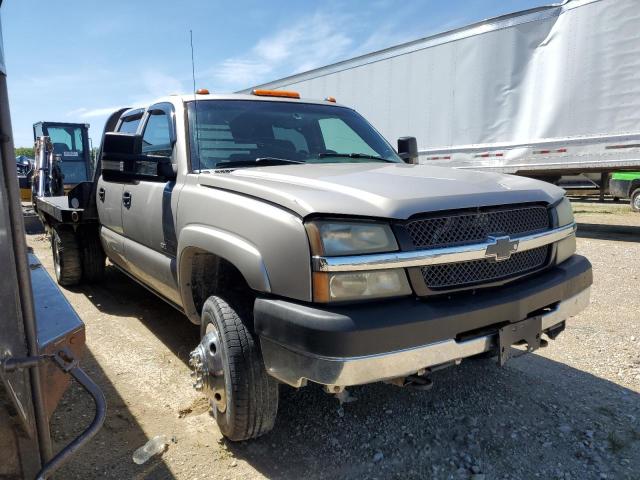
(378, 190)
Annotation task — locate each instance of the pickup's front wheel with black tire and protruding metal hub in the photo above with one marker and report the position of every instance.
(229, 368)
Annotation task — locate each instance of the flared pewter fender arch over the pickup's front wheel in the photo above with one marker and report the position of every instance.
(234, 249)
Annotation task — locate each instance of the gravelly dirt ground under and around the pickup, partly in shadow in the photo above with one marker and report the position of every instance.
(569, 411)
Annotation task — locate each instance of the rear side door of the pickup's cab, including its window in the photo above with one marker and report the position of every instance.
(109, 199)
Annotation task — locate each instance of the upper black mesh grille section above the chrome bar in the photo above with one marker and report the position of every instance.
(475, 227)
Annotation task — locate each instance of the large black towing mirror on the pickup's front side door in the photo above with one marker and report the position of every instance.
(122, 159)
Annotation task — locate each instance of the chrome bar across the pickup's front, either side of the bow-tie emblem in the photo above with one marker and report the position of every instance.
(435, 256)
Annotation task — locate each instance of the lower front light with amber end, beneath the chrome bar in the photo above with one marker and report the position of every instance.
(331, 287)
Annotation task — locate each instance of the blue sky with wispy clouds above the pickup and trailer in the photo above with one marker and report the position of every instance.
(79, 60)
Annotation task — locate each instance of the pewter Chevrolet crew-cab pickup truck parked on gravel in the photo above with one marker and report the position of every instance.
(308, 250)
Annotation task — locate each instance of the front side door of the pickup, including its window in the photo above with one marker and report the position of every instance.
(148, 213)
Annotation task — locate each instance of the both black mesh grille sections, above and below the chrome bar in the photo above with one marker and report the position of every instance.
(474, 227)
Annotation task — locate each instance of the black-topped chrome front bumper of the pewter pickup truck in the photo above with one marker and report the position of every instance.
(369, 342)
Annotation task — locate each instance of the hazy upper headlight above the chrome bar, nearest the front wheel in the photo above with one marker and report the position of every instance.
(333, 238)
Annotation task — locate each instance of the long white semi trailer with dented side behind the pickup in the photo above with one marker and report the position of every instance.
(544, 92)
